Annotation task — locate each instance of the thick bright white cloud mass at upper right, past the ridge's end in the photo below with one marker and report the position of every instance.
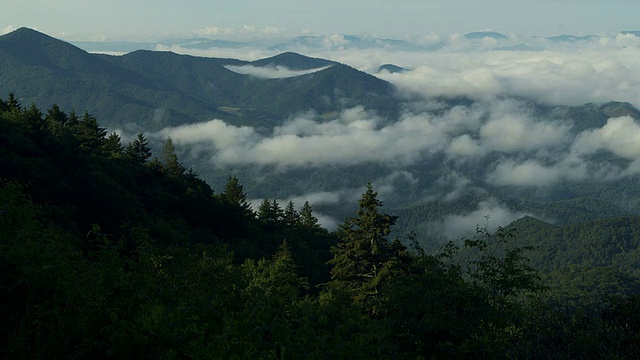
(558, 75)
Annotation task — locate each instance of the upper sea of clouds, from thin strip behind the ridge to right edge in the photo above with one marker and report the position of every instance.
(599, 69)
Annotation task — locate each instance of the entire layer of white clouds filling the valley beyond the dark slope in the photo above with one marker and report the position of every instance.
(482, 117)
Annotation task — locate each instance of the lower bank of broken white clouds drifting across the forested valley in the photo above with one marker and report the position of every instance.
(518, 148)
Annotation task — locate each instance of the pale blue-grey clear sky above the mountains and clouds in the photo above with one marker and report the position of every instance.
(146, 19)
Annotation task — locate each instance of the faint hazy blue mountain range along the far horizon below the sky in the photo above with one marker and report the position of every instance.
(344, 42)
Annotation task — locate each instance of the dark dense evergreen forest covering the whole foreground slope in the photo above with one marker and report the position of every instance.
(107, 251)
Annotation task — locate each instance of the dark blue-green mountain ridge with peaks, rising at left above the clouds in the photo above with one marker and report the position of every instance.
(151, 89)
